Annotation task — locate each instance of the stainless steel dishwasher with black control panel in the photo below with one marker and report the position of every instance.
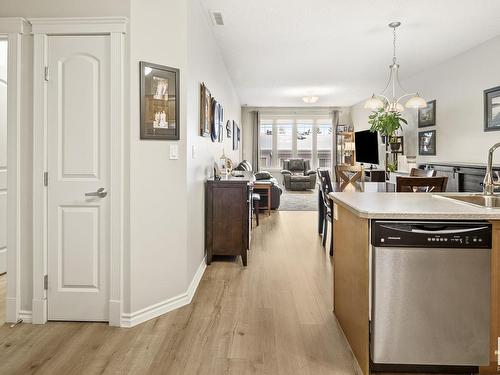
(430, 293)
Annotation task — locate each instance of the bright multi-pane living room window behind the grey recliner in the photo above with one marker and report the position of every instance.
(305, 137)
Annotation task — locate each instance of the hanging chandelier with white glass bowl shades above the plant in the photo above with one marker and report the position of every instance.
(389, 101)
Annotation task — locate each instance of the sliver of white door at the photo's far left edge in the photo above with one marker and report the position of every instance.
(3, 156)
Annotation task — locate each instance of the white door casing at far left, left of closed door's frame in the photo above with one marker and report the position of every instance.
(13, 28)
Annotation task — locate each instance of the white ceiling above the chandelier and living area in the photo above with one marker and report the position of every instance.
(277, 51)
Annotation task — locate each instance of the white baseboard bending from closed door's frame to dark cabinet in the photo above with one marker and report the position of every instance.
(153, 311)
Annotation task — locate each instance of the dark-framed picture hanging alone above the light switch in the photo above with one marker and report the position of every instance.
(159, 95)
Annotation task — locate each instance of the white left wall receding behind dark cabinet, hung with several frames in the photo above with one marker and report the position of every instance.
(205, 64)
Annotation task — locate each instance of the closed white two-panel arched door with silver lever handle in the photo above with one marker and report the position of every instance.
(78, 164)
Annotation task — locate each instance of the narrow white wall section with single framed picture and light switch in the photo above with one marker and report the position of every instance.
(158, 197)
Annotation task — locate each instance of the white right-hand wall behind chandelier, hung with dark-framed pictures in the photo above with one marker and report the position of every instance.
(457, 85)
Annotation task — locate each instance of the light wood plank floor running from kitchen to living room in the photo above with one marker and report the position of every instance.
(272, 317)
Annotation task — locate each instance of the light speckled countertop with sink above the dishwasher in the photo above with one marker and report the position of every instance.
(410, 206)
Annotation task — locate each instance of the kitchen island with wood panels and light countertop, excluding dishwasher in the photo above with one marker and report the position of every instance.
(353, 217)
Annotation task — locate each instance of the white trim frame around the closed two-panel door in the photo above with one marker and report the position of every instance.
(115, 27)
